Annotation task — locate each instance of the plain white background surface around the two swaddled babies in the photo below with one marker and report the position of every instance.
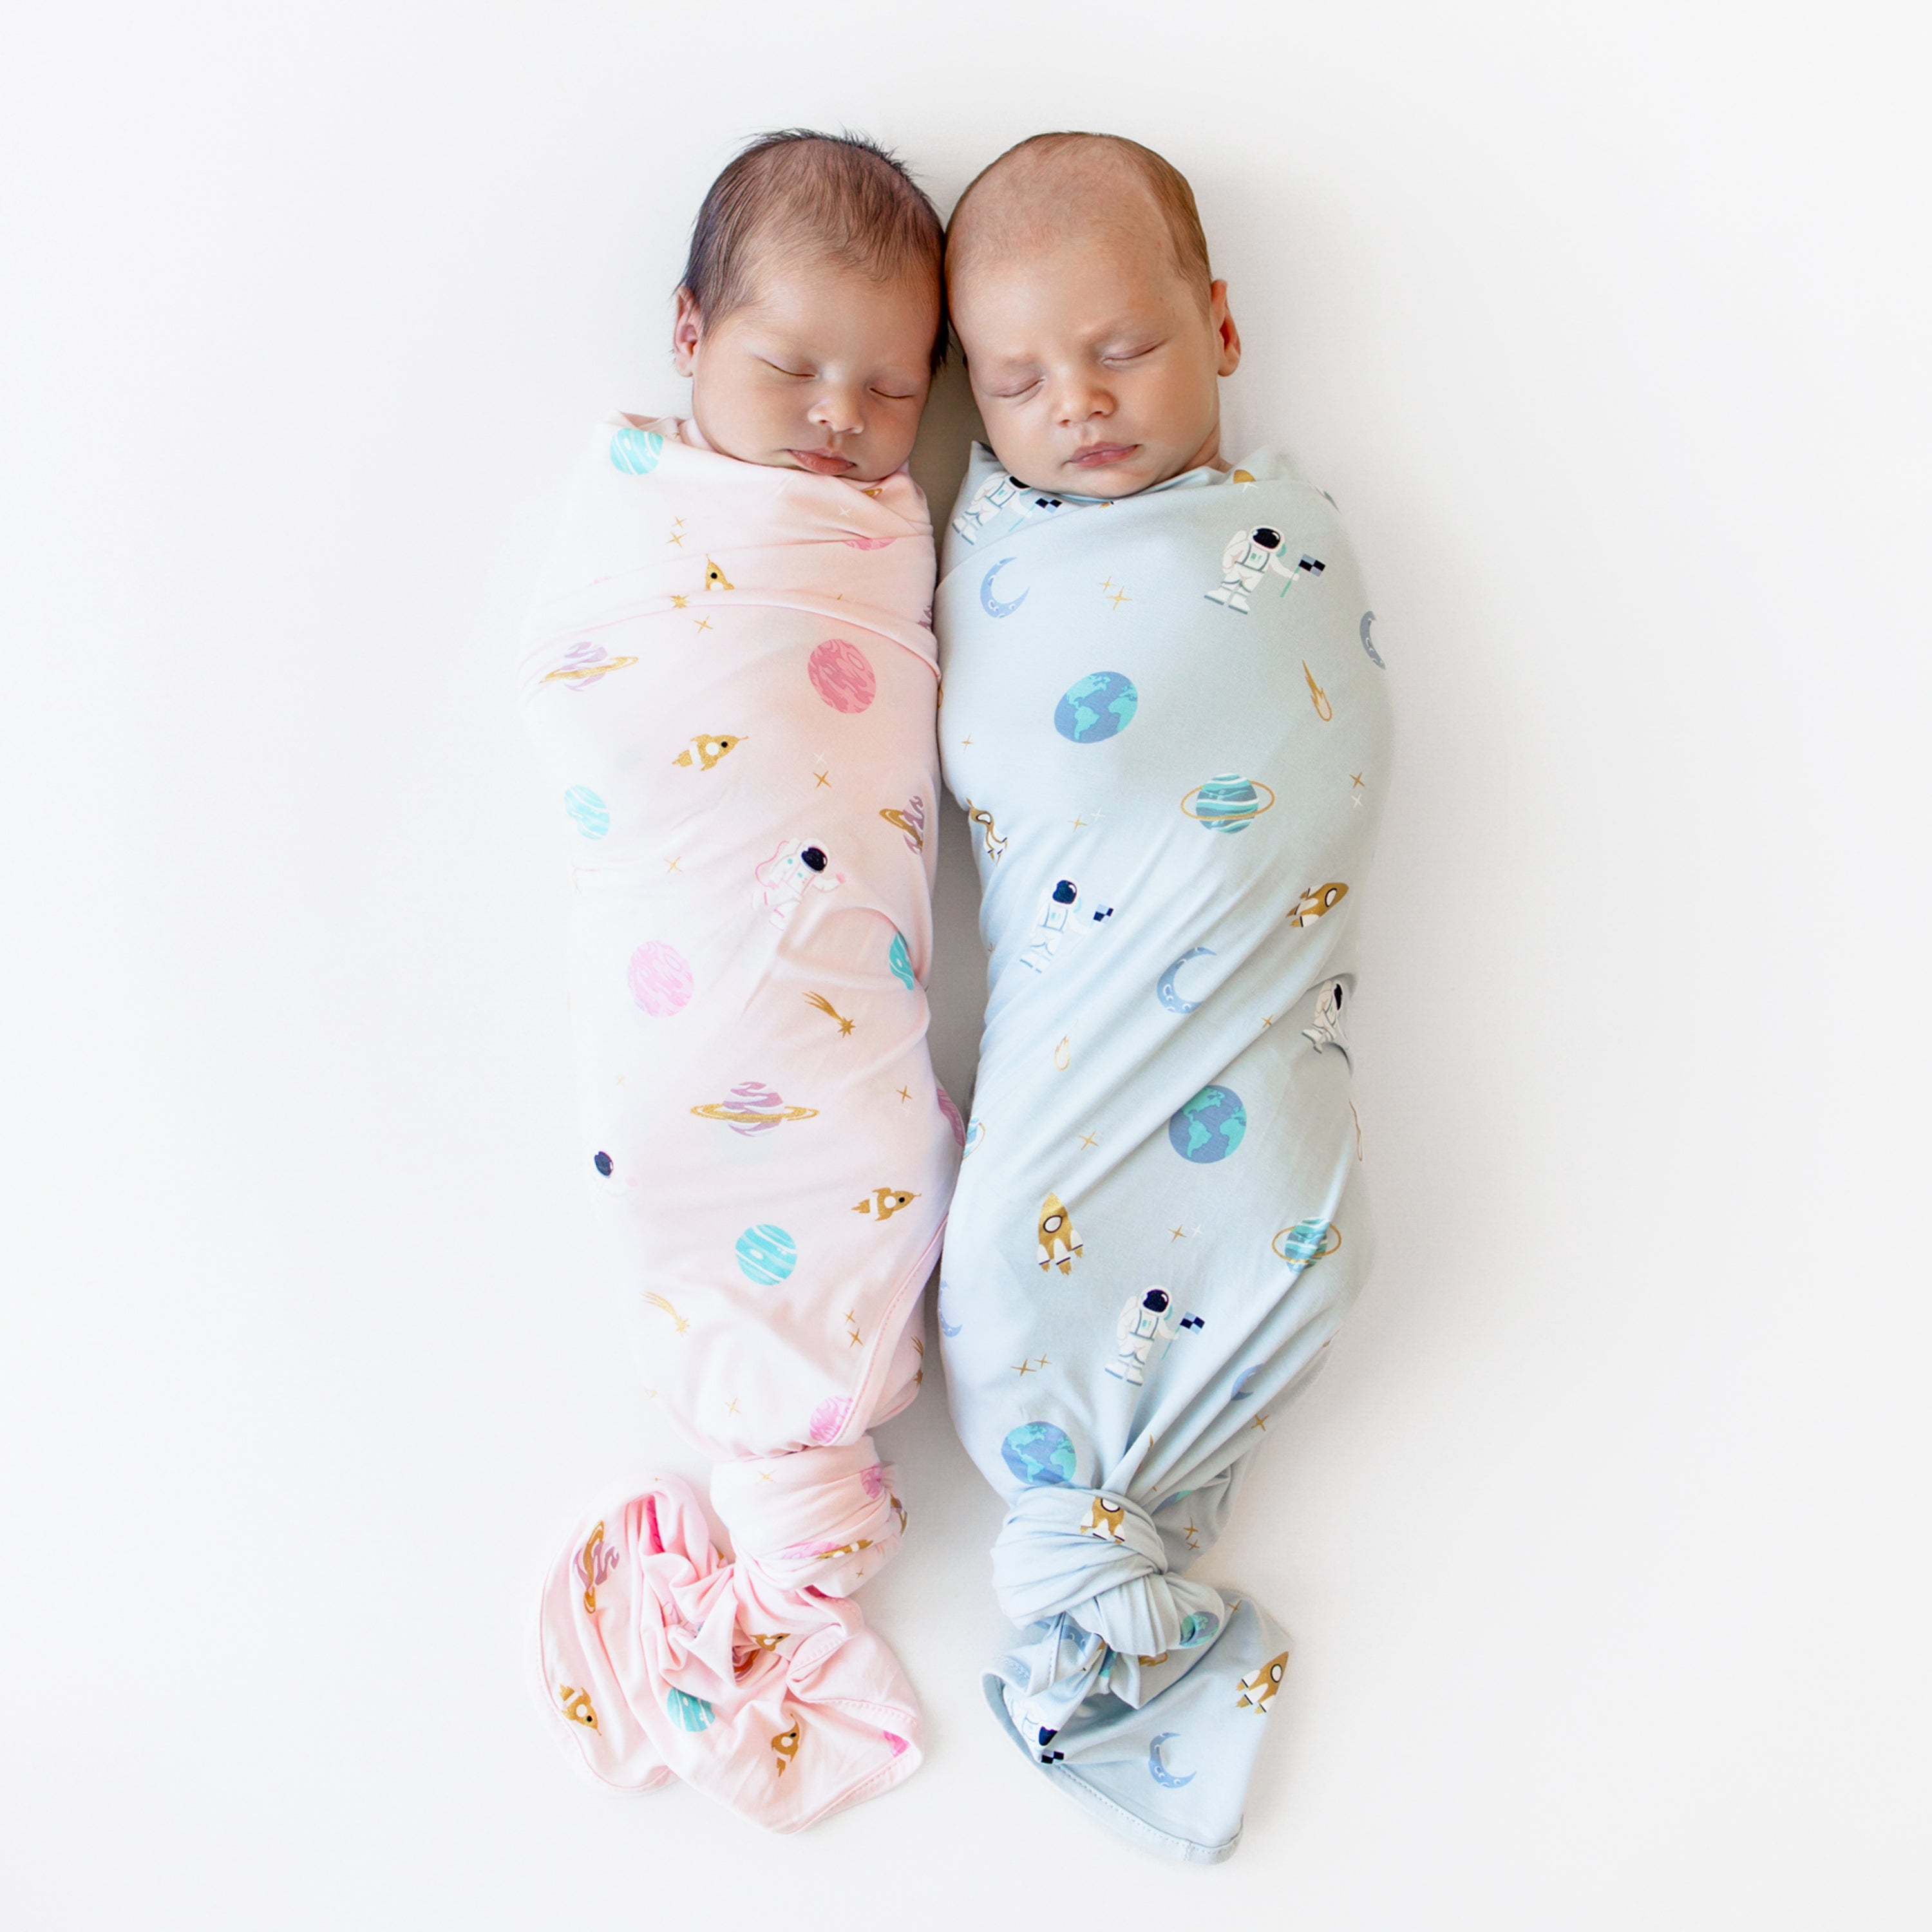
(1603, 1541)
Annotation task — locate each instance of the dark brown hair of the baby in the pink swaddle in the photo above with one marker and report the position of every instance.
(838, 196)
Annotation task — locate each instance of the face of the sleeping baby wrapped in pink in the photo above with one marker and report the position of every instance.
(824, 370)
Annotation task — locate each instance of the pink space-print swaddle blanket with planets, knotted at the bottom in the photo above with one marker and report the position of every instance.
(733, 677)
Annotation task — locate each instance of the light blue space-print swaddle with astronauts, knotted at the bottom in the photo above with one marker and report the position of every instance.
(1168, 722)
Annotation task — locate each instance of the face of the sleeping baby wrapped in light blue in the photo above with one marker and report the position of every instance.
(1094, 362)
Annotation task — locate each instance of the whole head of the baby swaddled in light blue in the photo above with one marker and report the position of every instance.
(1096, 335)
